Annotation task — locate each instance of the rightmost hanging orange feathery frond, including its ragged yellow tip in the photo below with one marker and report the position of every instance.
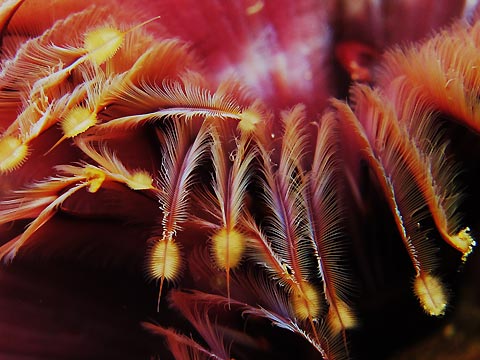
(436, 172)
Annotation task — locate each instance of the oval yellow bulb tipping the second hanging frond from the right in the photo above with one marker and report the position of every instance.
(431, 294)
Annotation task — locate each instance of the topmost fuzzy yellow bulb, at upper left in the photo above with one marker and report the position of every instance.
(101, 44)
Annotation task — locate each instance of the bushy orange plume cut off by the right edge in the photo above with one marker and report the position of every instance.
(441, 69)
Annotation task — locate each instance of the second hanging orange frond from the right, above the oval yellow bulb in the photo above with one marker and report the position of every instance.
(396, 159)
